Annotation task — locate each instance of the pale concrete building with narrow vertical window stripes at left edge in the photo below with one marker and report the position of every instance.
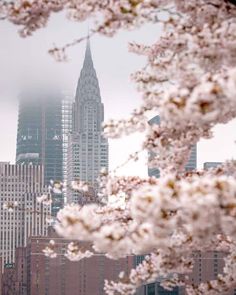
(20, 185)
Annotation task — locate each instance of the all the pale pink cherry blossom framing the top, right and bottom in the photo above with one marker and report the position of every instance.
(190, 81)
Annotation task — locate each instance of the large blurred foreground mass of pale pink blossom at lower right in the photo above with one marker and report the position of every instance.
(169, 218)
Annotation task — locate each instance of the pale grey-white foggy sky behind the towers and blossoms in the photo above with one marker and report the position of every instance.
(24, 62)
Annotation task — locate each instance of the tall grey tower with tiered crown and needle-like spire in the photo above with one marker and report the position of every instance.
(88, 149)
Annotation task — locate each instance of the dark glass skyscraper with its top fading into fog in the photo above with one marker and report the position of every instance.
(39, 135)
